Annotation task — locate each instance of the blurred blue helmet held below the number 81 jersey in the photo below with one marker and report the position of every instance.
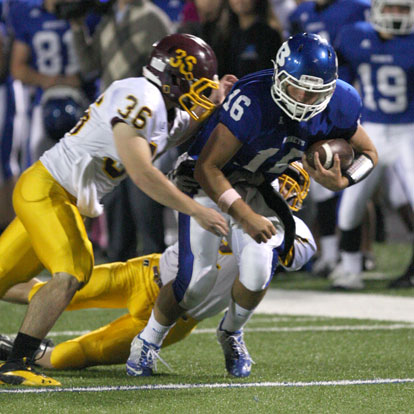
(62, 106)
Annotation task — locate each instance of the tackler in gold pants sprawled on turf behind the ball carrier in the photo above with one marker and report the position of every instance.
(135, 284)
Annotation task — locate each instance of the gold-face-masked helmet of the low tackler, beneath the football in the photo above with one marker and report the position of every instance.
(294, 185)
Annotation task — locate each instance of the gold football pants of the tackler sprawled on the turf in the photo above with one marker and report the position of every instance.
(132, 285)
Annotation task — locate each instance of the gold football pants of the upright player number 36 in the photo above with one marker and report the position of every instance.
(47, 232)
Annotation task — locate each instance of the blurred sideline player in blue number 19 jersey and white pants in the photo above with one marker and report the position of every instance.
(380, 56)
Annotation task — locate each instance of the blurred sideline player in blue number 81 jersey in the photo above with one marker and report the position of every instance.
(43, 56)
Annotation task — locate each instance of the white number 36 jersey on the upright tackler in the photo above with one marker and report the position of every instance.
(85, 161)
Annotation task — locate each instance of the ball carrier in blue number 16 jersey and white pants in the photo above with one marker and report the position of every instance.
(267, 121)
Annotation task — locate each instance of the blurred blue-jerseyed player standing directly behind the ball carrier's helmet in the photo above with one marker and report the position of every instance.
(326, 17)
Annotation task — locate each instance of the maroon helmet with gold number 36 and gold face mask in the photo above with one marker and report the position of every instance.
(184, 67)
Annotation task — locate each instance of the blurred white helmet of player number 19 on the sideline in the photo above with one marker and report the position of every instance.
(393, 23)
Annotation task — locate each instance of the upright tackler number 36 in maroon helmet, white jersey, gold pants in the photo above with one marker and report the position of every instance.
(128, 126)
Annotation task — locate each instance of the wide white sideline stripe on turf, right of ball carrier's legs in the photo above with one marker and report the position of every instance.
(339, 305)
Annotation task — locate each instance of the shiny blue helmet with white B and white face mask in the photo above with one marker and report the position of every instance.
(309, 63)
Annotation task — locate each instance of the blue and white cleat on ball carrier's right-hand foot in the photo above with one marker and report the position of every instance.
(238, 360)
